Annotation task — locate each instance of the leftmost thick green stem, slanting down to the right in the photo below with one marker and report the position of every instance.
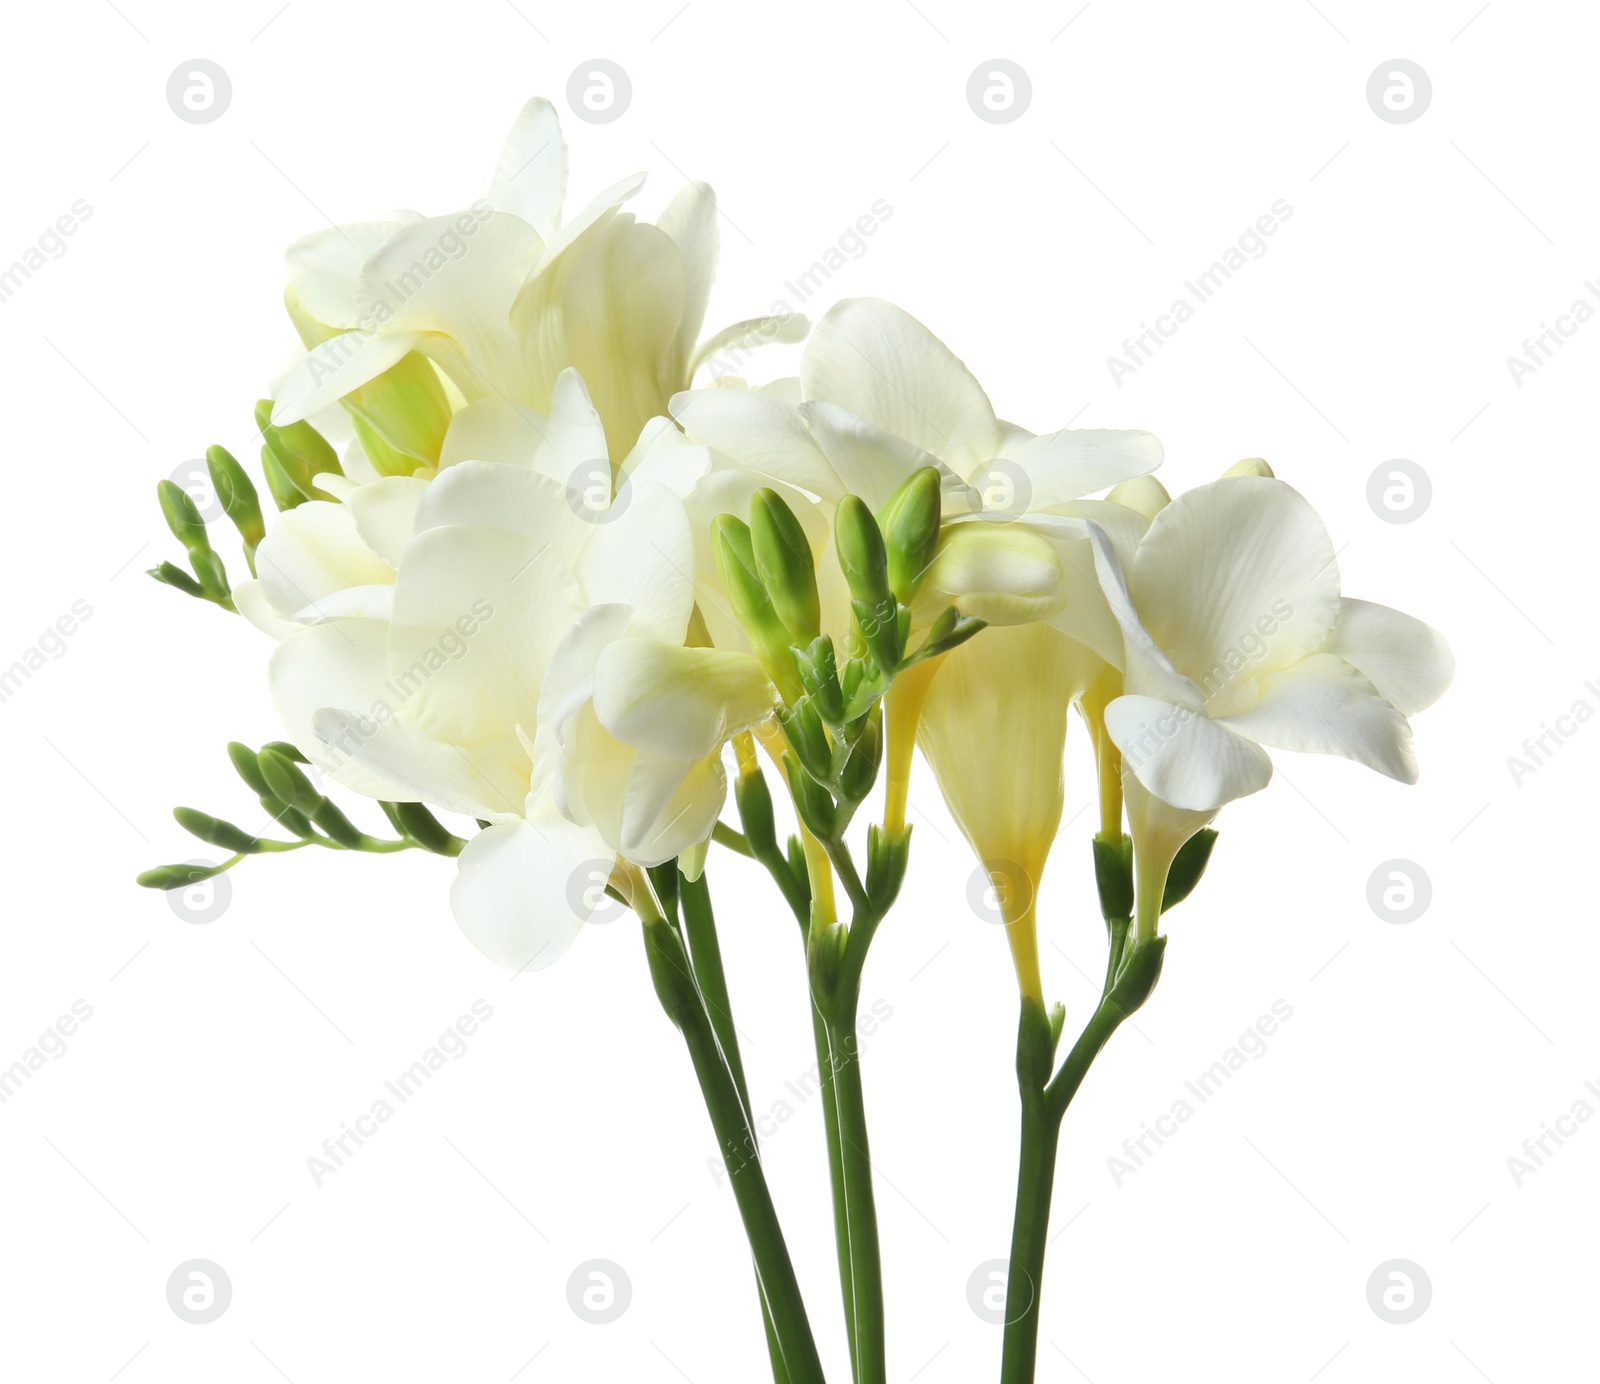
(684, 1004)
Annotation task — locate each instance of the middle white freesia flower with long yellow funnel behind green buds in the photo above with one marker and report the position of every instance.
(881, 398)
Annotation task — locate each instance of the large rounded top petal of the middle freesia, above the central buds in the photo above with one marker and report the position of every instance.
(886, 367)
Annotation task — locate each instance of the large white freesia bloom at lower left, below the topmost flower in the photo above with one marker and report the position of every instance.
(474, 689)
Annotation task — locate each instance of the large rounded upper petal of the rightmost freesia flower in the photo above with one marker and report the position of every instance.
(1234, 562)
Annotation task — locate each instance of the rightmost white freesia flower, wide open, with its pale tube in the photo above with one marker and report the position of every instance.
(1238, 638)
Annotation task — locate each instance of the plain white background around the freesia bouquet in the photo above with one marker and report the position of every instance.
(1420, 1057)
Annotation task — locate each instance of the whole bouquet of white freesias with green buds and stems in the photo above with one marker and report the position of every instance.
(556, 590)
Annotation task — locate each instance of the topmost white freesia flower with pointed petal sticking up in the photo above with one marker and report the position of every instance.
(506, 295)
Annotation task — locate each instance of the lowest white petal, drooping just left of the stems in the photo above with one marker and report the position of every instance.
(526, 890)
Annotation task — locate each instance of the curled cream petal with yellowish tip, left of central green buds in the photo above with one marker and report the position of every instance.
(679, 702)
